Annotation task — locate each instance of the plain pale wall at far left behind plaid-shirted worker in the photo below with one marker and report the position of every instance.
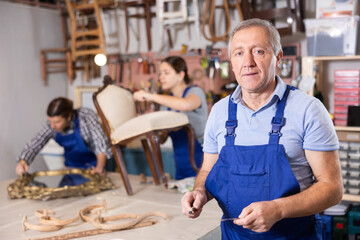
(23, 97)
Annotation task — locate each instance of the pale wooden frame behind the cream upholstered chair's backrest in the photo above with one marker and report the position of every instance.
(83, 97)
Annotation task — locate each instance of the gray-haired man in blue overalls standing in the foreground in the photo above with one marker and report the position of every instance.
(270, 151)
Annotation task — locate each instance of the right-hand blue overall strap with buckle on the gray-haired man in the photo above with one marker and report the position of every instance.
(278, 121)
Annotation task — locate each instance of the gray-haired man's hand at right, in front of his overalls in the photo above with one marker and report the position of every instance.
(259, 216)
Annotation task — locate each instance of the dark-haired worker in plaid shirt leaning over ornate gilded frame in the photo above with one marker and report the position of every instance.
(77, 130)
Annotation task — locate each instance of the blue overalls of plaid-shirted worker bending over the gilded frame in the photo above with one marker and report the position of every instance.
(76, 153)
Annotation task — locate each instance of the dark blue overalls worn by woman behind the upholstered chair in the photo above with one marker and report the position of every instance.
(181, 152)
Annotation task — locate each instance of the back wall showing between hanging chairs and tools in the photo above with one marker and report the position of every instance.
(115, 36)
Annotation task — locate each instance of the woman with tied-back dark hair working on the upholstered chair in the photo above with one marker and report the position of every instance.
(185, 98)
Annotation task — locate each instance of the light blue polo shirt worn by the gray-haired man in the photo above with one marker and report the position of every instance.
(308, 126)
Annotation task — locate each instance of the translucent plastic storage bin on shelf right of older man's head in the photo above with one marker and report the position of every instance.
(332, 36)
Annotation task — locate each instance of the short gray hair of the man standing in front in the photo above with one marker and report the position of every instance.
(274, 36)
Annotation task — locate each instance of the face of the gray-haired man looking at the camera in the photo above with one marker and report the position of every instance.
(253, 60)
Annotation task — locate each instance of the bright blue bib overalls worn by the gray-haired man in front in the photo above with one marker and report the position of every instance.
(246, 174)
